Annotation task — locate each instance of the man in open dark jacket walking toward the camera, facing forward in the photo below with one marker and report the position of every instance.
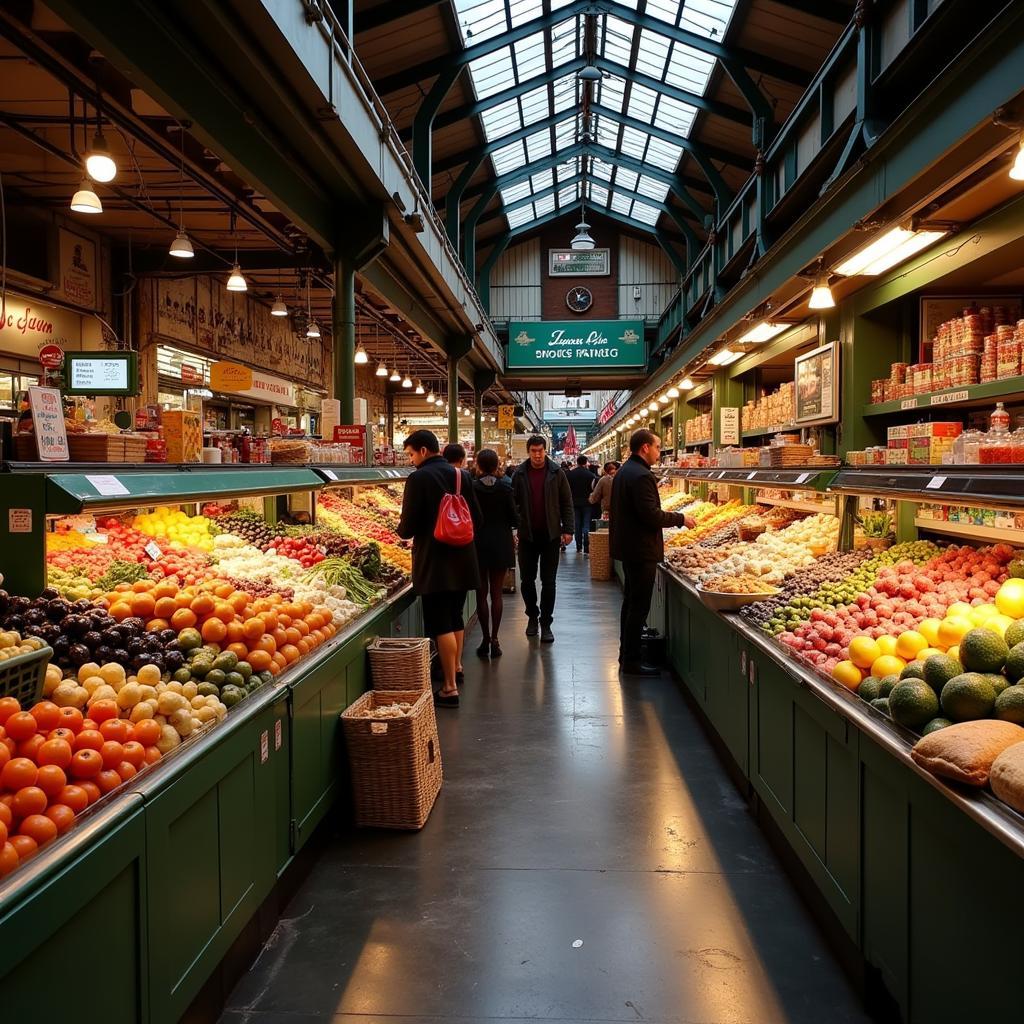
(544, 503)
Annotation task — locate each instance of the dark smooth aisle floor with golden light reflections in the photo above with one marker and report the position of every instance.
(588, 860)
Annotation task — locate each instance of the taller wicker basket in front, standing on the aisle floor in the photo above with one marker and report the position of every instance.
(396, 762)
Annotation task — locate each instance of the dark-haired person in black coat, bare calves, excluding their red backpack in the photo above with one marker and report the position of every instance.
(443, 575)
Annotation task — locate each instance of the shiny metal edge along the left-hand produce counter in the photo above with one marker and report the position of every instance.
(97, 823)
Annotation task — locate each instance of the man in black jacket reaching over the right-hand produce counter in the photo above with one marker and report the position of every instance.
(636, 525)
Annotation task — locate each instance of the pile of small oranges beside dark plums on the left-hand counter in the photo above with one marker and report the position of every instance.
(270, 633)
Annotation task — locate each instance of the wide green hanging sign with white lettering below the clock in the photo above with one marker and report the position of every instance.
(576, 346)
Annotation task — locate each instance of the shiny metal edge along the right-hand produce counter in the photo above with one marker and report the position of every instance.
(995, 817)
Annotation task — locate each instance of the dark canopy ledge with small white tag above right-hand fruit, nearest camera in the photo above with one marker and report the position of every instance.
(989, 487)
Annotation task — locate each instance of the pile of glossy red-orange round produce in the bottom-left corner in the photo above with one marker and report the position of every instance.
(55, 763)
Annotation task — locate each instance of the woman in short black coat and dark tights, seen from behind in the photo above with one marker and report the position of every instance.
(495, 548)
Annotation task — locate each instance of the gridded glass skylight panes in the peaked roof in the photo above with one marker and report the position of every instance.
(641, 52)
